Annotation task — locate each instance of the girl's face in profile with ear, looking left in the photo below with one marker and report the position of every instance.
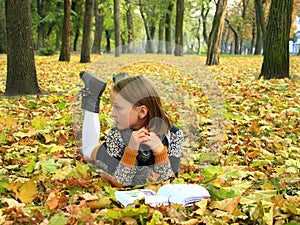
(125, 114)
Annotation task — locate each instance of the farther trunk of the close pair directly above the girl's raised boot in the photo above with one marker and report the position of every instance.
(99, 20)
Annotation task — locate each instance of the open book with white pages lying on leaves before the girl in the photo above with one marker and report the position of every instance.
(184, 194)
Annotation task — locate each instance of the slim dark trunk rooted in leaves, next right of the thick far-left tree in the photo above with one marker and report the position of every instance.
(65, 50)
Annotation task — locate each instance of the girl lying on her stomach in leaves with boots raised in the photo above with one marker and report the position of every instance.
(144, 145)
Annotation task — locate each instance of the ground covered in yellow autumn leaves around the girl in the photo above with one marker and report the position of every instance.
(242, 143)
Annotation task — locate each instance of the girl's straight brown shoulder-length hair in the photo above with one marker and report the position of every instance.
(139, 90)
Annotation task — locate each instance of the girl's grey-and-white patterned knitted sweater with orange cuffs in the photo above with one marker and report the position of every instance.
(130, 168)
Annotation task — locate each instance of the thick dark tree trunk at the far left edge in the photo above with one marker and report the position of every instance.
(21, 70)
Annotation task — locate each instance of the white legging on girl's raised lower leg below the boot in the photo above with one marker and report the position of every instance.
(90, 133)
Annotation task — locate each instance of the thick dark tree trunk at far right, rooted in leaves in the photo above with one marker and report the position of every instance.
(276, 46)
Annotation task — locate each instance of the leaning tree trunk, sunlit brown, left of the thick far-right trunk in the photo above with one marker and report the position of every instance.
(213, 53)
